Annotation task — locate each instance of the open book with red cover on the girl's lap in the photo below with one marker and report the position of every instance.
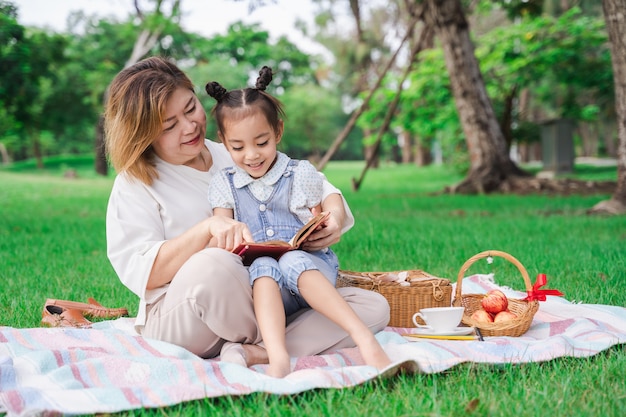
(276, 248)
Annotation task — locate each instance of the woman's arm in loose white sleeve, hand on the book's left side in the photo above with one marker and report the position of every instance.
(149, 237)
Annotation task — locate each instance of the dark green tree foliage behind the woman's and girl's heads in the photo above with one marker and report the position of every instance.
(53, 86)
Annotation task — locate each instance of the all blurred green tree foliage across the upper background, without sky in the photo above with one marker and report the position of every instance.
(52, 85)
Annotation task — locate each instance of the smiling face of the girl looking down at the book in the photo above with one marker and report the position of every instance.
(252, 143)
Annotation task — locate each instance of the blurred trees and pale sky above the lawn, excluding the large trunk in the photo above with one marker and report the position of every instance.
(545, 64)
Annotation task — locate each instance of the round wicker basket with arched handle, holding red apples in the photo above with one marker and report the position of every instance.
(525, 310)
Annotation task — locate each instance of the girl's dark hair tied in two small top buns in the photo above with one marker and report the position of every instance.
(242, 103)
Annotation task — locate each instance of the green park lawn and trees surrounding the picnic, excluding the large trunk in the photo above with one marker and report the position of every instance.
(540, 61)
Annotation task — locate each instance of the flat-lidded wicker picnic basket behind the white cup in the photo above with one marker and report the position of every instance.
(421, 290)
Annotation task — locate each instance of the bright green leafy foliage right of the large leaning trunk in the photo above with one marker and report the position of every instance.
(564, 61)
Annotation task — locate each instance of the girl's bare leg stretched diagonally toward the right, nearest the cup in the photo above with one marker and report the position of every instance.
(323, 297)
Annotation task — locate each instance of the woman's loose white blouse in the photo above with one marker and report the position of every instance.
(140, 218)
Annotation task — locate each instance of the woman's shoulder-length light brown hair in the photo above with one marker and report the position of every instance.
(134, 113)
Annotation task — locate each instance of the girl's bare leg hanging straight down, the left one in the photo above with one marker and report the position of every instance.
(270, 315)
